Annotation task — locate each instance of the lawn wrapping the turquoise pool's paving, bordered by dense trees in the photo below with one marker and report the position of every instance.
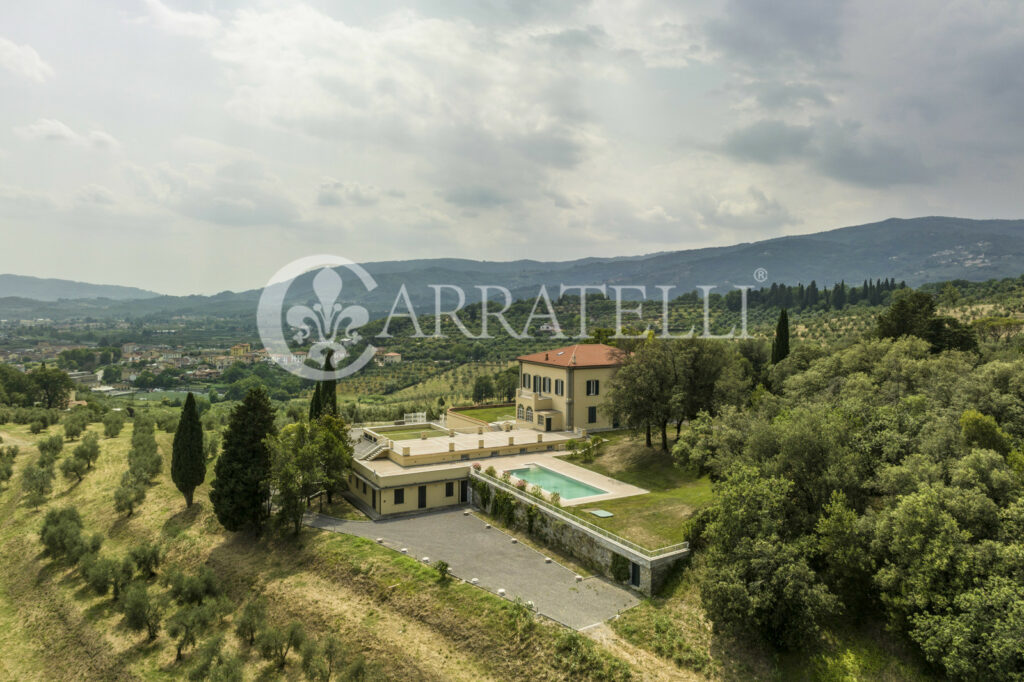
(658, 519)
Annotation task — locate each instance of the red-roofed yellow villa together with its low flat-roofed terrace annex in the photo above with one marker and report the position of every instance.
(408, 467)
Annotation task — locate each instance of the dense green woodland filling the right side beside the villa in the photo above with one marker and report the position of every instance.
(879, 479)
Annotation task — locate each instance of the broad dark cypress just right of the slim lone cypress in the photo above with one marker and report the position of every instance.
(241, 477)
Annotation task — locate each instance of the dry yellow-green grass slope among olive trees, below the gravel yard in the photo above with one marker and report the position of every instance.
(380, 605)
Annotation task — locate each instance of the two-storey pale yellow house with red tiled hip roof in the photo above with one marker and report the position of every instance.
(564, 390)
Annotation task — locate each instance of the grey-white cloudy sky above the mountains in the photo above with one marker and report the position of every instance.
(193, 147)
